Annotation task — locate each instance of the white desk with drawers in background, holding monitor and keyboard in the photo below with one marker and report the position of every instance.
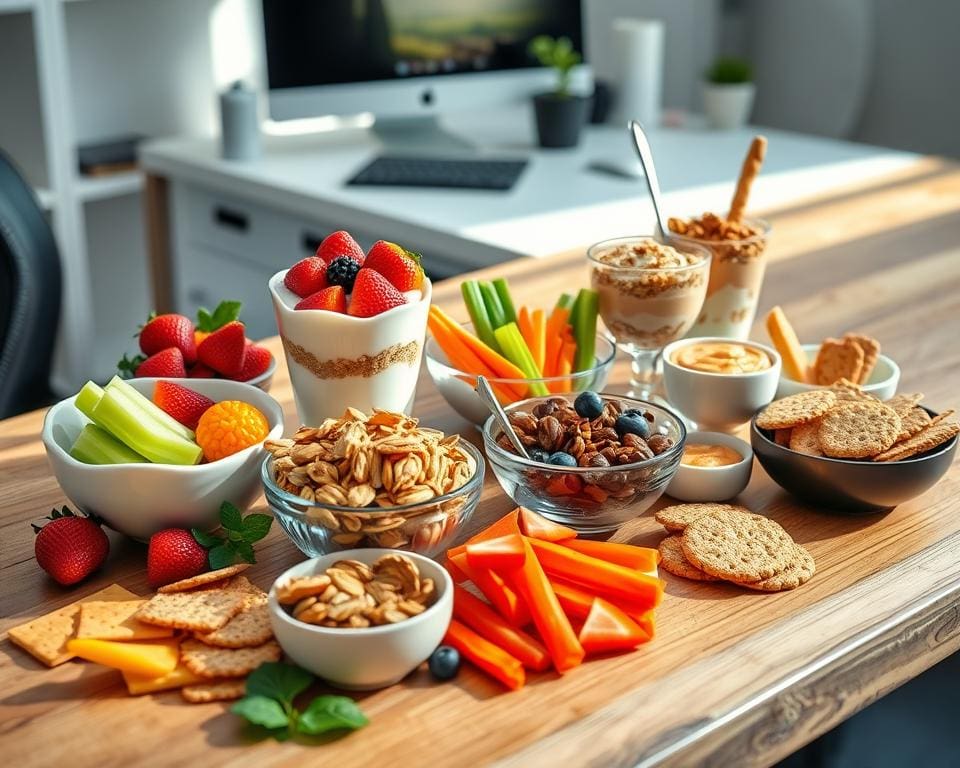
(296, 192)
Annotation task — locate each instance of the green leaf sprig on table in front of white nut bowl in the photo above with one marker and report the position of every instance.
(271, 690)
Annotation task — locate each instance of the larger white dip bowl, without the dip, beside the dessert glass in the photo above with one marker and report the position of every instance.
(719, 401)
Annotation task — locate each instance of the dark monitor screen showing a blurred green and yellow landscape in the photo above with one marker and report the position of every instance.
(329, 42)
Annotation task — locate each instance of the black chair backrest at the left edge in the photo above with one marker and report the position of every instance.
(30, 281)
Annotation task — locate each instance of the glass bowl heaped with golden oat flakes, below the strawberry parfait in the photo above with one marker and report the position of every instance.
(372, 480)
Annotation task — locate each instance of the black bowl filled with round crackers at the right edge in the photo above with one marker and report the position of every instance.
(844, 450)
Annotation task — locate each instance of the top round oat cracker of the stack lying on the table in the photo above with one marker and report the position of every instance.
(737, 547)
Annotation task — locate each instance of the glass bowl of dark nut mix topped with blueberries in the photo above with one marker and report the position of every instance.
(596, 460)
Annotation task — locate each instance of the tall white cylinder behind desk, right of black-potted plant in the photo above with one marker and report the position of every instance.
(638, 57)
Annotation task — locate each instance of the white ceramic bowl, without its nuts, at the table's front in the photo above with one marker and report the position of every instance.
(364, 659)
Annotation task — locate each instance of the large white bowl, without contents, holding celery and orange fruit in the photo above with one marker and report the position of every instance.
(141, 499)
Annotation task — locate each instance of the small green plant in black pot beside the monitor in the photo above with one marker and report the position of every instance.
(560, 113)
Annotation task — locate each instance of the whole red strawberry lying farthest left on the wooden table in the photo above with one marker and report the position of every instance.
(70, 547)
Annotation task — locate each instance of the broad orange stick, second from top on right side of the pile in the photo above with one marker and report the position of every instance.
(603, 578)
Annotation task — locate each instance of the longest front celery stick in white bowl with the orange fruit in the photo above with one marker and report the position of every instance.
(125, 422)
